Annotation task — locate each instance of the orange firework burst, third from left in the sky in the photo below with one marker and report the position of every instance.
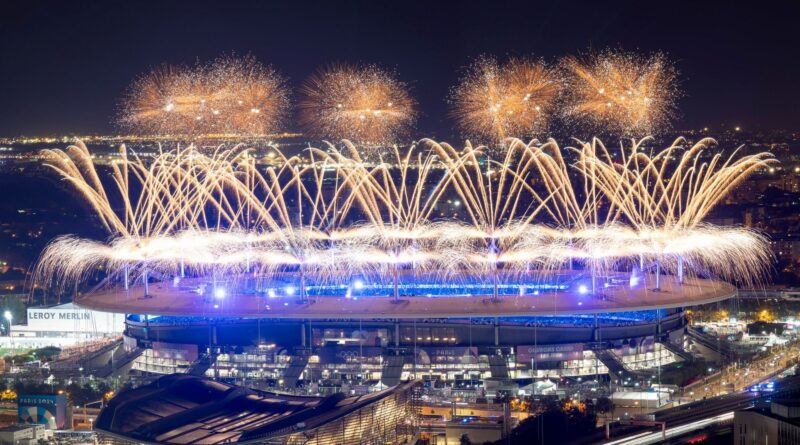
(516, 99)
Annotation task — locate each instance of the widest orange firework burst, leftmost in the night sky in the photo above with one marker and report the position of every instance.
(229, 96)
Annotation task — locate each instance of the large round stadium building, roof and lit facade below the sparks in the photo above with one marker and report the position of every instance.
(302, 346)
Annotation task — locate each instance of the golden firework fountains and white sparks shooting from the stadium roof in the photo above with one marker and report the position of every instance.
(331, 217)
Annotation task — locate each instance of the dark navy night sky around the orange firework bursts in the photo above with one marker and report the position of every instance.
(66, 63)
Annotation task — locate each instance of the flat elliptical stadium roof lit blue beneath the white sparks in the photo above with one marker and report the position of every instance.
(167, 300)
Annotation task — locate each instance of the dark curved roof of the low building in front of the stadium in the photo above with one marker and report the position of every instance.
(182, 409)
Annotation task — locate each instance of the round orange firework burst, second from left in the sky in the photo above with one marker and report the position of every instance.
(363, 104)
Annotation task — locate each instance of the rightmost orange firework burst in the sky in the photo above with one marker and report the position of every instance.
(624, 93)
